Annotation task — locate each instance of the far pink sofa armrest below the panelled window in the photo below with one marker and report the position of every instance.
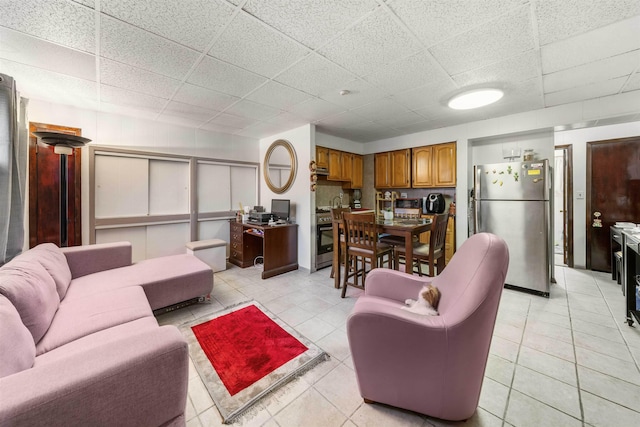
(89, 259)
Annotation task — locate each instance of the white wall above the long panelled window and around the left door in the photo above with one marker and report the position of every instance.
(139, 133)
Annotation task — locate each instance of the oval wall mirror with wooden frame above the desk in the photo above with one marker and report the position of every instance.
(280, 166)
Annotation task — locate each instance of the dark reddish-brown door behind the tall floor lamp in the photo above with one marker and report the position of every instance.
(44, 190)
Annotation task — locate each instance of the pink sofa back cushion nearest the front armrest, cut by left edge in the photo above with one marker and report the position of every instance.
(17, 349)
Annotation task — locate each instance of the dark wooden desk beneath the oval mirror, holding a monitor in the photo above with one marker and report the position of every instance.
(278, 245)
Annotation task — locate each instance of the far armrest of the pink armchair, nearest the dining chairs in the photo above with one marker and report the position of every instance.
(394, 285)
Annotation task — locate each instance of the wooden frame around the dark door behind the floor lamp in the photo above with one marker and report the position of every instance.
(76, 203)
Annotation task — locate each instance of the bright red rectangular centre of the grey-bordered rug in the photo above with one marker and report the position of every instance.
(245, 345)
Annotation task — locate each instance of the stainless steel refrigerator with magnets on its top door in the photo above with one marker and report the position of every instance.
(514, 201)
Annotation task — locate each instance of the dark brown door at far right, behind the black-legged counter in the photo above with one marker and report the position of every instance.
(613, 194)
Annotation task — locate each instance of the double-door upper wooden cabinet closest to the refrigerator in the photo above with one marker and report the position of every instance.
(434, 166)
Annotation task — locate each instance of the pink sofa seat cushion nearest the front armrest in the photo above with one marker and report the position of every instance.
(79, 317)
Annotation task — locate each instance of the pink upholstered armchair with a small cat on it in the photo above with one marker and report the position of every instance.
(433, 365)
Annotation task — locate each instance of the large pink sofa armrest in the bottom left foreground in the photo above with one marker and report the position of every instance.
(139, 380)
